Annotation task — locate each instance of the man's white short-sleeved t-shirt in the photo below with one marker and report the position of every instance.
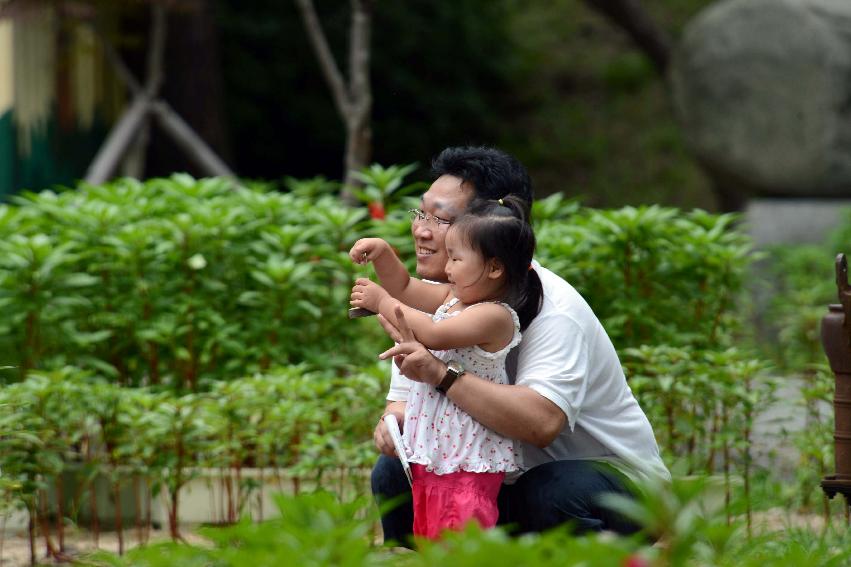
(567, 357)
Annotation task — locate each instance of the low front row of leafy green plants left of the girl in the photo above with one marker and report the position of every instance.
(315, 424)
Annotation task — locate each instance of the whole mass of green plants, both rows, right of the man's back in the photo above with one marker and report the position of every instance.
(666, 285)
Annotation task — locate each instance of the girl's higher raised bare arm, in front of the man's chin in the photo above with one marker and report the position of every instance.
(395, 278)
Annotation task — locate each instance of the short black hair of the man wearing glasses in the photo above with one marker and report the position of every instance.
(492, 173)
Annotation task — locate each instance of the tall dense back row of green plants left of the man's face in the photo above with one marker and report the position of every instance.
(177, 281)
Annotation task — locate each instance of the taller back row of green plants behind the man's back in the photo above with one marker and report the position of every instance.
(653, 275)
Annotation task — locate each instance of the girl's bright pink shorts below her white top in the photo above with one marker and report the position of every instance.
(449, 501)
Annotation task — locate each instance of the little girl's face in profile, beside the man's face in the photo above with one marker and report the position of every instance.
(471, 278)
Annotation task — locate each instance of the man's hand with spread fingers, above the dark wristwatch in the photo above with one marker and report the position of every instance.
(414, 360)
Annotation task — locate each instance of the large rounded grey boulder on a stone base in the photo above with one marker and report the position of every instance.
(763, 90)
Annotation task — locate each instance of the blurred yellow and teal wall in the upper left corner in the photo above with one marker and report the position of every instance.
(58, 98)
